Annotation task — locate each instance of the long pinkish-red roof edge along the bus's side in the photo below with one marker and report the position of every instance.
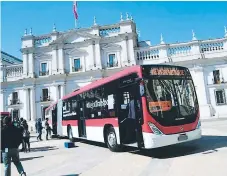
(99, 82)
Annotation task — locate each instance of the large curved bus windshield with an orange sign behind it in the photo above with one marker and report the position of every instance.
(171, 101)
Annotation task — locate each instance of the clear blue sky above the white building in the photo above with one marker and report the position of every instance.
(175, 20)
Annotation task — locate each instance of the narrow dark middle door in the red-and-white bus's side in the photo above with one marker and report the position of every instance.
(81, 121)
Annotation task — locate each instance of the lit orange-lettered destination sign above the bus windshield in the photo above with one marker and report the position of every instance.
(168, 71)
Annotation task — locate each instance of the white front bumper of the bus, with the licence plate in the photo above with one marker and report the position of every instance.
(154, 141)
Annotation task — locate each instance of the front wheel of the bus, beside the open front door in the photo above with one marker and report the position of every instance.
(111, 140)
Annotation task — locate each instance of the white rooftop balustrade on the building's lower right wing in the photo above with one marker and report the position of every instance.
(180, 52)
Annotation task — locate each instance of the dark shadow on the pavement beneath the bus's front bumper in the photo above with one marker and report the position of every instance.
(205, 145)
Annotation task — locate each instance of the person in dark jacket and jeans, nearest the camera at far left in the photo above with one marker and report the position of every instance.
(11, 138)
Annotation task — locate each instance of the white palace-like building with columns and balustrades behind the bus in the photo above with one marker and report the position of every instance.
(58, 63)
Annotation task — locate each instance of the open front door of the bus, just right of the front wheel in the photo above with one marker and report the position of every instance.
(130, 116)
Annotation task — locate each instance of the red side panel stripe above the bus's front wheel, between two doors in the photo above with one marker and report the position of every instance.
(101, 122)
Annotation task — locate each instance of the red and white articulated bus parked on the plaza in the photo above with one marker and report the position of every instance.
(146, 106)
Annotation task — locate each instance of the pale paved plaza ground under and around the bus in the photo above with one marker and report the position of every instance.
(205, 157)
